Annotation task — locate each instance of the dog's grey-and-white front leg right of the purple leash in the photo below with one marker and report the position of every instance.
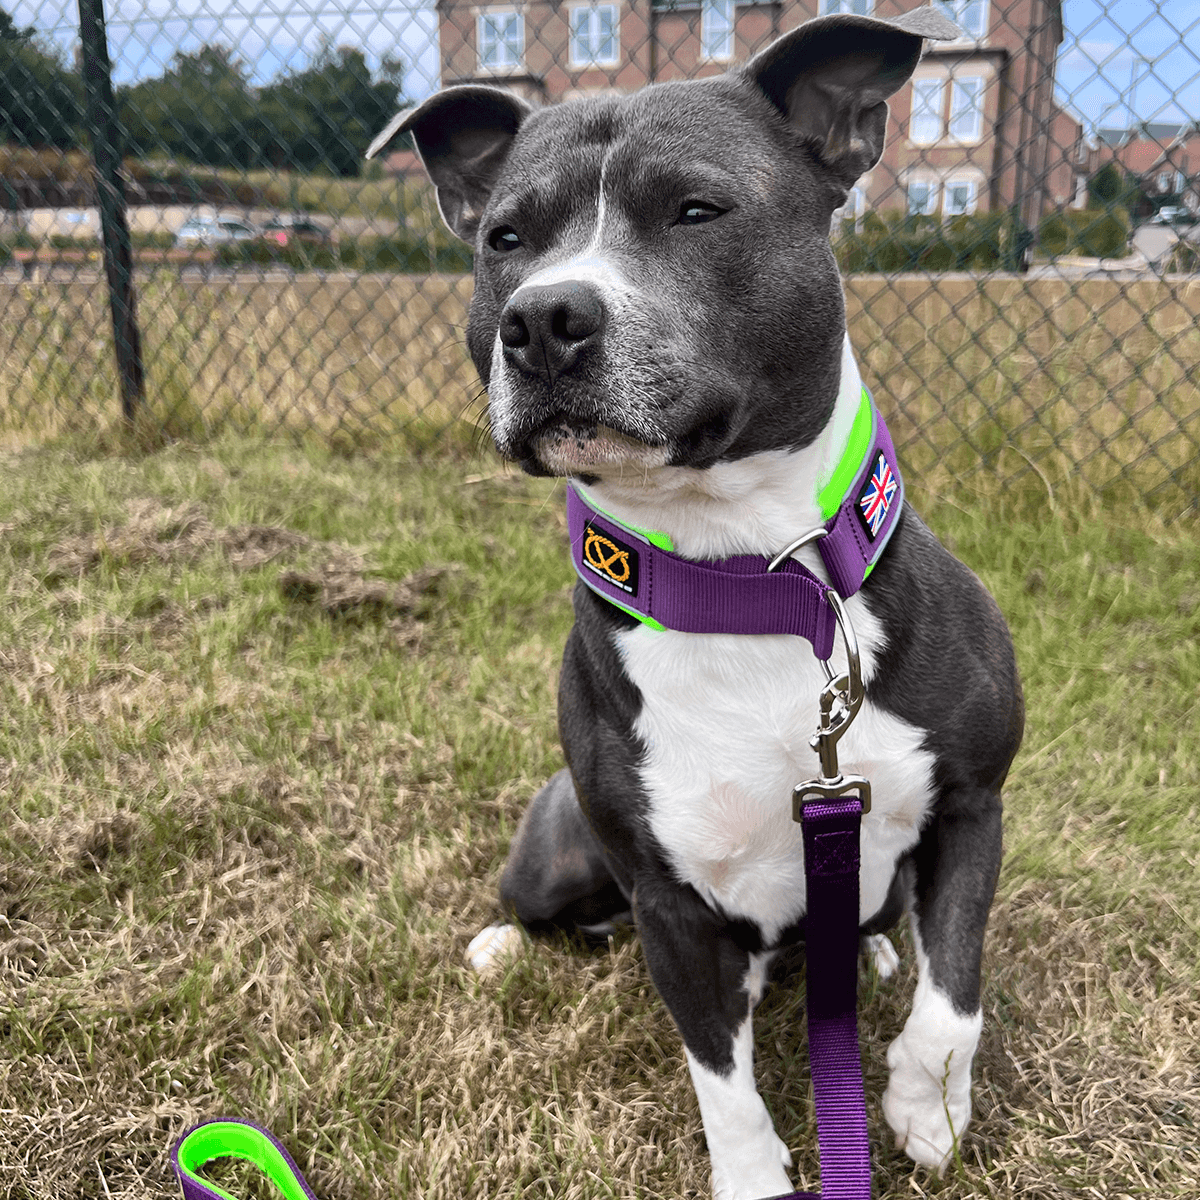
(928, 1100)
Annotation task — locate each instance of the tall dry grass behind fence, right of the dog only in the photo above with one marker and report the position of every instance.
(1094, 383)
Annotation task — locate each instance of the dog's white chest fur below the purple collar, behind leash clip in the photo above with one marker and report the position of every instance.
(727, 723)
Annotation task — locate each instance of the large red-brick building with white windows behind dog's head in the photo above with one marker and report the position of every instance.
(977, 129)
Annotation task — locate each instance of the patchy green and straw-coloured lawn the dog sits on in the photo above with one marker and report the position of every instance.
(253, 832)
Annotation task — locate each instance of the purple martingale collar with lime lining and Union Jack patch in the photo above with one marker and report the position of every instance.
(638, 571)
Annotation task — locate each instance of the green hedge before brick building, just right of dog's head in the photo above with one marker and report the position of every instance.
(898, 242)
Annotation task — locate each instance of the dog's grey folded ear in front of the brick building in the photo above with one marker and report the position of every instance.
(831, 77)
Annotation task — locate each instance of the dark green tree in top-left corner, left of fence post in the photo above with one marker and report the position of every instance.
(41, 101)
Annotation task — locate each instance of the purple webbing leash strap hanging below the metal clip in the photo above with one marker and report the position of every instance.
(831, 866)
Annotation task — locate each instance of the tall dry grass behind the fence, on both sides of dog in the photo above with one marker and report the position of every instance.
(1063, 389)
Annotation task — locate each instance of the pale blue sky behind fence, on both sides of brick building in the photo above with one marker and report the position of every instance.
(1123, 62)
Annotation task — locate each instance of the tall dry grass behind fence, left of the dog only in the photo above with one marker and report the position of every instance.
(353, 361)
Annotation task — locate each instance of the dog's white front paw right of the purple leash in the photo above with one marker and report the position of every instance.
(928, 1100)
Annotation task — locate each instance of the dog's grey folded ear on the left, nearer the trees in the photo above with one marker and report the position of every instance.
(463, 136)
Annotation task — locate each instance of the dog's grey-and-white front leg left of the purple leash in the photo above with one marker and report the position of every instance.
(711, 985)
